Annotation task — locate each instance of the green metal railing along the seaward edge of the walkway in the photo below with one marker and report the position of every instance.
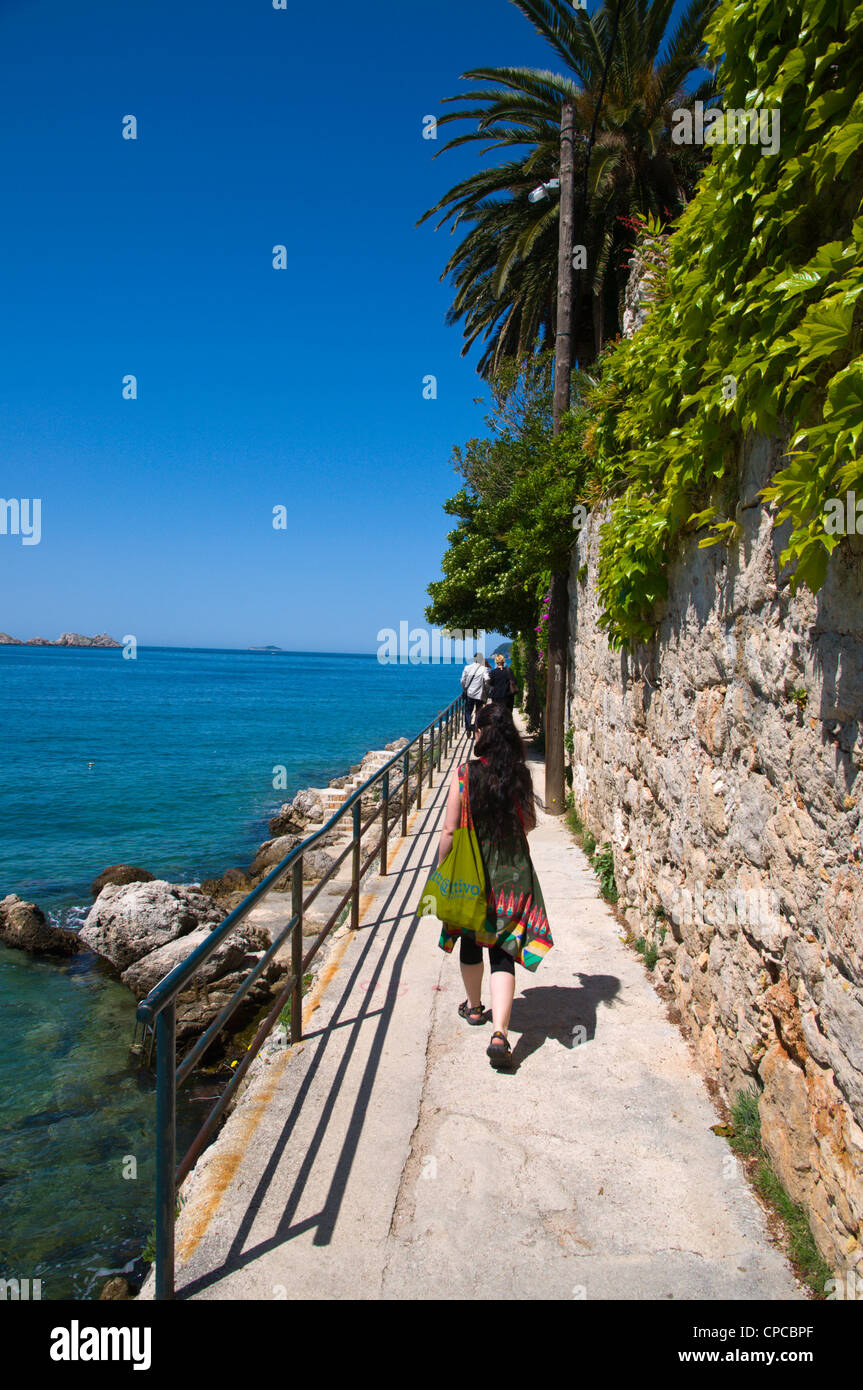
(159, 1010)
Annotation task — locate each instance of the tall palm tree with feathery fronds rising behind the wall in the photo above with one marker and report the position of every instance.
(505, 270)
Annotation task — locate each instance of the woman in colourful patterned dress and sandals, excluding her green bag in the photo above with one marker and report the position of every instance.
(516, 931)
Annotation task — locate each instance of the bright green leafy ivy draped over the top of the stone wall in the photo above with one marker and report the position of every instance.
(757, 323)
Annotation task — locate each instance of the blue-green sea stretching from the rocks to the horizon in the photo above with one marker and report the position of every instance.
(173, 761)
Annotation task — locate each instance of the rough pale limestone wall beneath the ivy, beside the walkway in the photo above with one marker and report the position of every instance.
(733, 806)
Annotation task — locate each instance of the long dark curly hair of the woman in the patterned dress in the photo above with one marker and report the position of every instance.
(504, 779)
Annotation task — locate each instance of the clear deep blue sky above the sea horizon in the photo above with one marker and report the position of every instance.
(256, 387)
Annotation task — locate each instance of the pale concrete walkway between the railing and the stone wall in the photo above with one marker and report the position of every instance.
(386, 1159)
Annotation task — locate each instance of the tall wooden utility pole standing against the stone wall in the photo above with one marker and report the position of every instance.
(559, 625)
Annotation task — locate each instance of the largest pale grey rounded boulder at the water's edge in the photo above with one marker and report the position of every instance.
(130, 921)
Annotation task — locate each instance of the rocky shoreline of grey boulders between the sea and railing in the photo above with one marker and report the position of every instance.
(145, 926)
